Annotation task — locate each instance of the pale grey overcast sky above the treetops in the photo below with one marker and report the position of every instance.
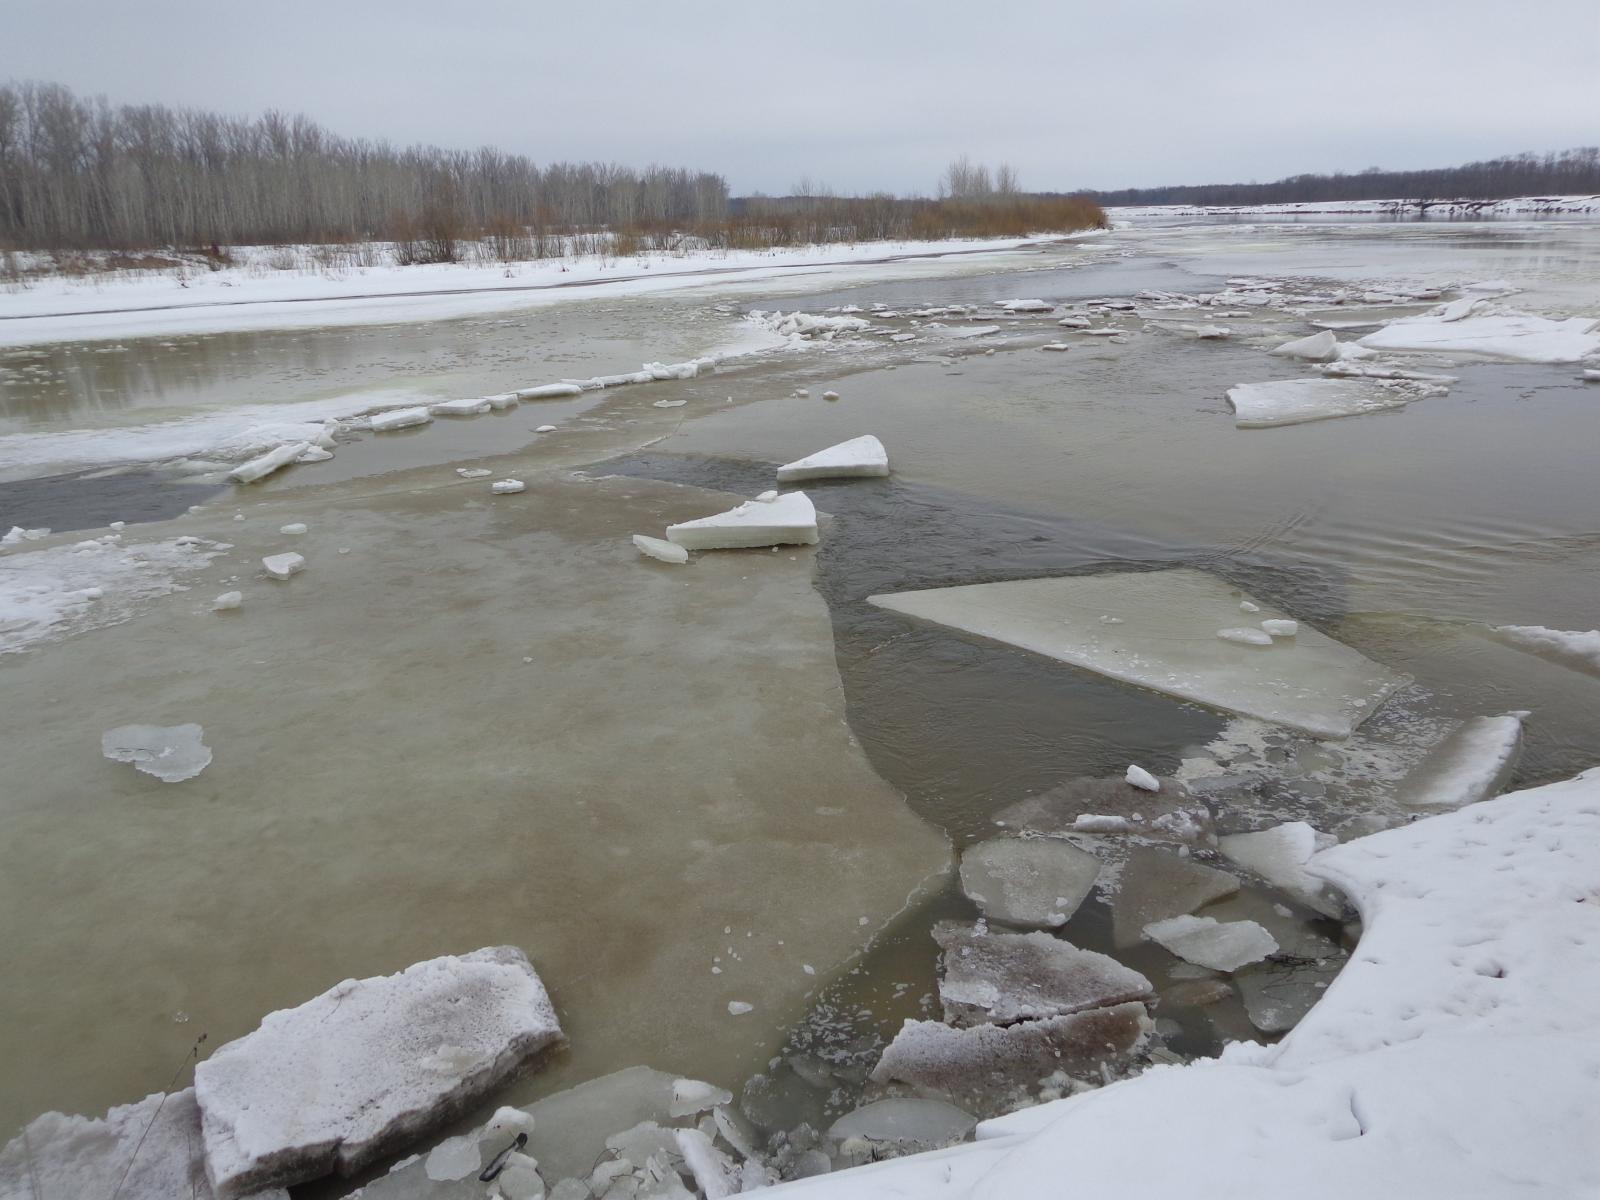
(870, 94)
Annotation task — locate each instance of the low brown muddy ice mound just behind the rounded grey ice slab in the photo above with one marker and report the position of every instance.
(1113, 806)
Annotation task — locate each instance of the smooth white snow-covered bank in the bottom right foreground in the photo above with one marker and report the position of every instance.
(1458, 1055)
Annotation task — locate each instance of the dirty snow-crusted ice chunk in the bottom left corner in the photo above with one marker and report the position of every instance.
(145, 1151)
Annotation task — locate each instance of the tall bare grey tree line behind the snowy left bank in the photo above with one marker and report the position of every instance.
(78, 174)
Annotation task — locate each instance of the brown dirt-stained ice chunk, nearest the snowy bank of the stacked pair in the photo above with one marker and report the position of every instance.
(988, 1068)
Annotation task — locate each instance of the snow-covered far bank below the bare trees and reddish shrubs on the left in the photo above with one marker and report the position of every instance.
(255, 297)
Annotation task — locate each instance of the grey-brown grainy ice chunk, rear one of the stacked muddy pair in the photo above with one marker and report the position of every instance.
(1012, 977)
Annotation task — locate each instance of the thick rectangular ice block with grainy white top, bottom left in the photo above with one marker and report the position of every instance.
(367, 1068)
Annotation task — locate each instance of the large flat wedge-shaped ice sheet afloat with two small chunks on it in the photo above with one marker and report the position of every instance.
(1167, 642)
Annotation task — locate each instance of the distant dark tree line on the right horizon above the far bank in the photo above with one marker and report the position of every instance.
(1566, 174)
